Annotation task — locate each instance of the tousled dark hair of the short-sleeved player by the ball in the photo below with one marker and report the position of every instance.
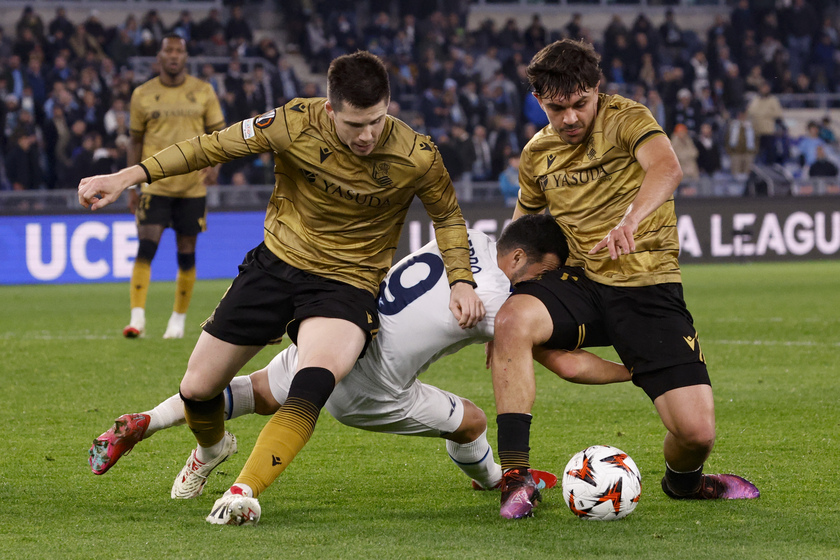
(564, 68)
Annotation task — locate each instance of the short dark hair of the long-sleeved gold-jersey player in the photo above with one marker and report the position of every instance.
(360, 79)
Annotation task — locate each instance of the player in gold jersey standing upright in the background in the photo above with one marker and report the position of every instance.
(172, 107)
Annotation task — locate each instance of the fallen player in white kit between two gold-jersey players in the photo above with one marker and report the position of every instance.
(382, 393)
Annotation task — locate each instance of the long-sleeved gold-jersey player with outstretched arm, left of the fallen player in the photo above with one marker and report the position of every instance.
(347, 173)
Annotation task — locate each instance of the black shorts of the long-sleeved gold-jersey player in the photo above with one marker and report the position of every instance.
(270, 297)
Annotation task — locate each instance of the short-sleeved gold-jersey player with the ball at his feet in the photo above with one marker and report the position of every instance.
(605, 170)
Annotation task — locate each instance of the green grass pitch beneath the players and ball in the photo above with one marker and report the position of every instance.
(770, 332)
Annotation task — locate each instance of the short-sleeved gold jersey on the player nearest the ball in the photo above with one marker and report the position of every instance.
(588, 187)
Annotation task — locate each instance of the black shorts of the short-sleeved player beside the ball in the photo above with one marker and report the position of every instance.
(649, 326)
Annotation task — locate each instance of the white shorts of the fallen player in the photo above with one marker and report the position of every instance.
(418, 410)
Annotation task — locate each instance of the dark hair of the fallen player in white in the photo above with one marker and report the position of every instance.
(536, 234)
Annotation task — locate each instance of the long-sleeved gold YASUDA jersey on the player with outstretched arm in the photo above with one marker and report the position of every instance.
(333, 213)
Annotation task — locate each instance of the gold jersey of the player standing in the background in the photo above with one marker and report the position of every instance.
(163, 115)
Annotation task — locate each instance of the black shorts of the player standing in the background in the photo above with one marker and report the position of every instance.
(187, 216)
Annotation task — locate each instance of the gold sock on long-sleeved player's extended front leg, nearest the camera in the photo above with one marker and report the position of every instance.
(279, 442)
